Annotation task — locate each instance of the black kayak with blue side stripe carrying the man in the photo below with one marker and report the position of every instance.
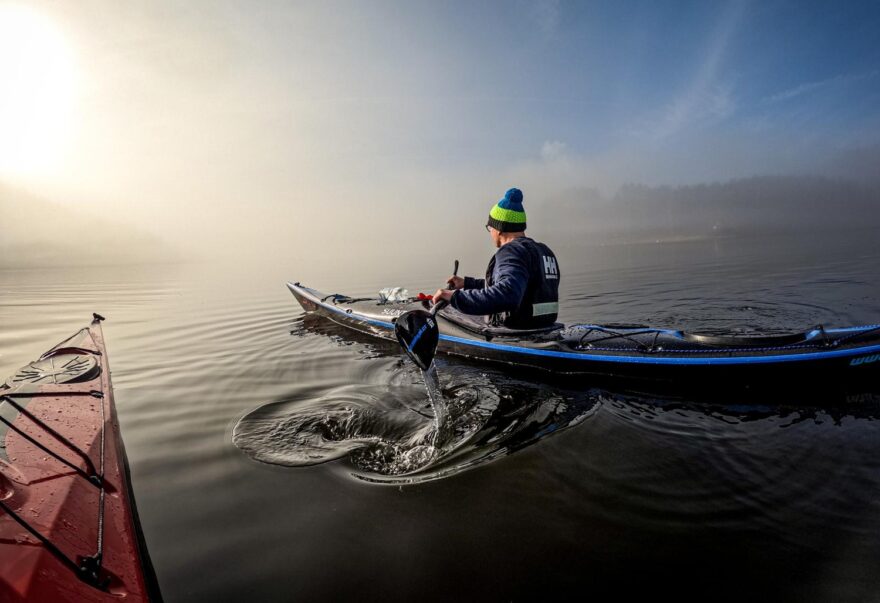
(820, 356)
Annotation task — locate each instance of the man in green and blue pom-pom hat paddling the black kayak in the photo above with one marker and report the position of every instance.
(521, 288)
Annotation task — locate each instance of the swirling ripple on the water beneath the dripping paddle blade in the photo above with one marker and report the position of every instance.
(387, 433)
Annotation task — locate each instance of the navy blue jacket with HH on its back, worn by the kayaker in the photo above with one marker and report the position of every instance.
(514, 268)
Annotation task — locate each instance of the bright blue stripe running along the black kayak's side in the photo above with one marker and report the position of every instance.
(636, 359)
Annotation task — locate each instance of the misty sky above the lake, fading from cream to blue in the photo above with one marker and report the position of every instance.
(354, 133)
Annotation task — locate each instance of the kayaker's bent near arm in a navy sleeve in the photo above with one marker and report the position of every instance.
(511, 277)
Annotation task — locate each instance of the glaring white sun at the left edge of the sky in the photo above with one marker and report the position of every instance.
(36, 92)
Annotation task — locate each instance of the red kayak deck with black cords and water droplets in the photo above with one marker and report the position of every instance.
(68, 525)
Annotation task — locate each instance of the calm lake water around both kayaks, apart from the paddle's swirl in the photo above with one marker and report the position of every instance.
(602, 492)
